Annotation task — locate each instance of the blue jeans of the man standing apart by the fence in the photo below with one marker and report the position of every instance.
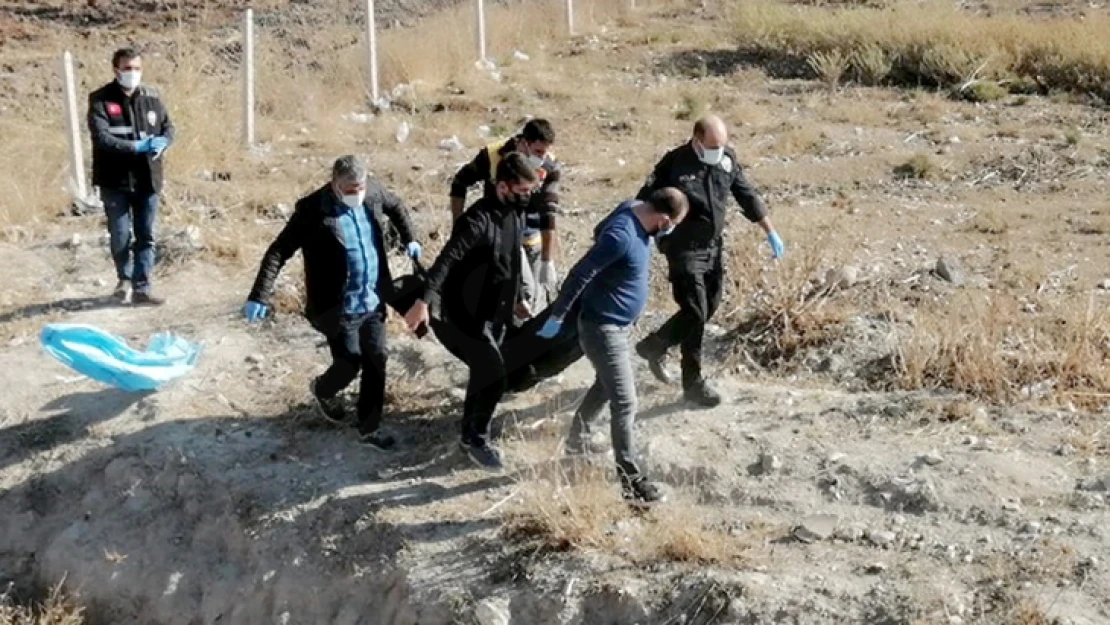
(134, 257)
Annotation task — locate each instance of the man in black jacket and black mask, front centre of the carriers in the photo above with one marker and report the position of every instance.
(472, 294)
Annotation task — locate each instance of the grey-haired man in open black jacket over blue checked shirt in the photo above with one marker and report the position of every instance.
(340, 229)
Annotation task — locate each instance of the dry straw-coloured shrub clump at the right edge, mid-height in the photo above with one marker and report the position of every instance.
(985, 348)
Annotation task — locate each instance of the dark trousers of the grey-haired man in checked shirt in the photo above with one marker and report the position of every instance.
(359, 345)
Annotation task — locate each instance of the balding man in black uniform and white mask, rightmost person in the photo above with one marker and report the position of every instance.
(707, 170)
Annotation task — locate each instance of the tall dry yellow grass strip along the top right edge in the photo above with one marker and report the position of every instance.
(939, 44)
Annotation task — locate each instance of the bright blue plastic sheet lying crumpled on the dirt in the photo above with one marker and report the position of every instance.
(108, 359)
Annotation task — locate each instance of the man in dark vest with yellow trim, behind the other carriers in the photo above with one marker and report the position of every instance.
(534, 144)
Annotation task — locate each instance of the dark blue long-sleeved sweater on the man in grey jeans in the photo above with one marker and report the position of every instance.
(612, 279)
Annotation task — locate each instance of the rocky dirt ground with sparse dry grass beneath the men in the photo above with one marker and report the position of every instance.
(821, 492)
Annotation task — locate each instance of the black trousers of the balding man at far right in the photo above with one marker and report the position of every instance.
(697, 281)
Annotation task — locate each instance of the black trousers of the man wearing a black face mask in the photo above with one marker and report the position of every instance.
(481, 350)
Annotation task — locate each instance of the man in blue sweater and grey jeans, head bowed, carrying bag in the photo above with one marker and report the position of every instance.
(612, 280)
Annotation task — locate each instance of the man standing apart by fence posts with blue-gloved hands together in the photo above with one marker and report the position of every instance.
(130, 132)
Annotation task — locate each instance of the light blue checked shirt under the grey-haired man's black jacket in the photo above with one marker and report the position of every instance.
(357, 230)
